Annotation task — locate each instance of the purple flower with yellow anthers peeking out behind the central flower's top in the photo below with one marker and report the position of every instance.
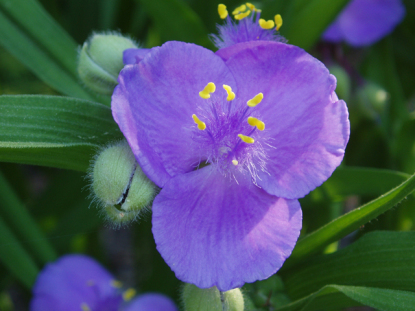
(249, 26)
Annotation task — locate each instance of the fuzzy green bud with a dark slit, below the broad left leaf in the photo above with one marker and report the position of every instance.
(119, 185)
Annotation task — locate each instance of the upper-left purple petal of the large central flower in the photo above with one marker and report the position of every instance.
(154, 102)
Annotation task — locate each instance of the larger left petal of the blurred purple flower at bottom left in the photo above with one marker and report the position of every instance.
(71, 281)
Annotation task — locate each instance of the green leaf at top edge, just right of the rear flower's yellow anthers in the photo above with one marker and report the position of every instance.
(309, 23)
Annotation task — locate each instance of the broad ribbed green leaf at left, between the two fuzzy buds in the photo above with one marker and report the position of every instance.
(53, 131)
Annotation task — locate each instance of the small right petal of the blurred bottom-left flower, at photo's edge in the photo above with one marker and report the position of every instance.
(151, 302)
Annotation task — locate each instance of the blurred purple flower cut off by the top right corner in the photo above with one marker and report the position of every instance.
(364, 22)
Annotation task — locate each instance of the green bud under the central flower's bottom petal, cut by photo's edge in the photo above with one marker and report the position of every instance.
(210, 299)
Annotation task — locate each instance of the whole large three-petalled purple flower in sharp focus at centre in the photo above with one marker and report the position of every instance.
(233, 143)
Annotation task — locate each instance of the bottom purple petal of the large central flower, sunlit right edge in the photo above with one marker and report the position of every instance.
(223, 230)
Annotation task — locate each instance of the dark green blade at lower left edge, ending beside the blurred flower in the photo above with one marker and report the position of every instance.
(15, 258)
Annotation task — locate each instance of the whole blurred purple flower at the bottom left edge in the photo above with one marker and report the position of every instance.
(77, 282)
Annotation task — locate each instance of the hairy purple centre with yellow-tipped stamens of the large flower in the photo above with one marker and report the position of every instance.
(225, 131)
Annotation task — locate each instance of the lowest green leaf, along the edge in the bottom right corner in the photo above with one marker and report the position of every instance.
(334, 297)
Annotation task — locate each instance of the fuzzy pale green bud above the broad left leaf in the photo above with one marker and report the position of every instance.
(101, 60)
